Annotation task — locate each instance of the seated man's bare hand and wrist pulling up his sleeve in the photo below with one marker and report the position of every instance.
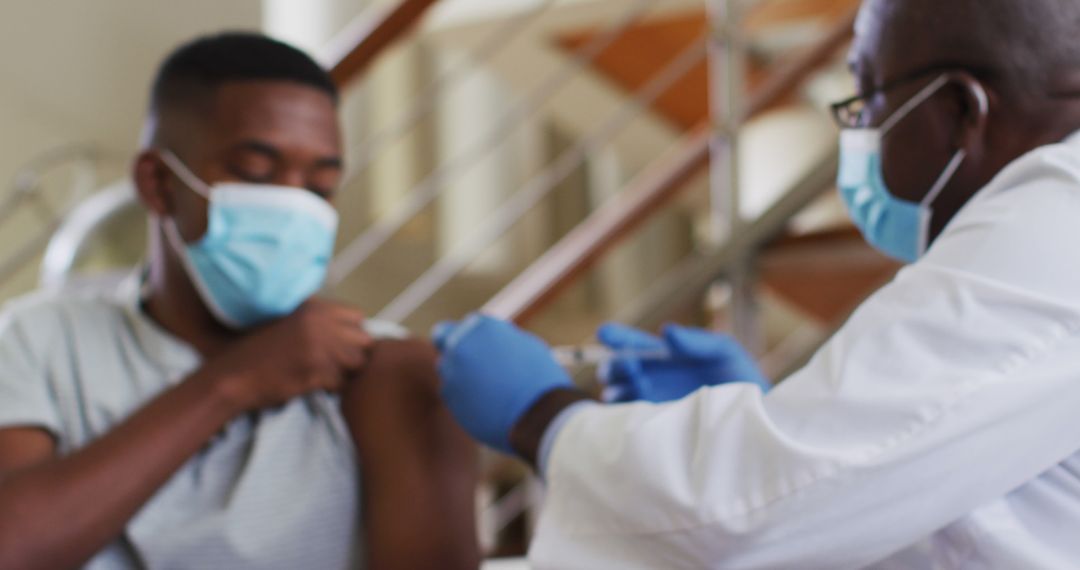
(319, 347)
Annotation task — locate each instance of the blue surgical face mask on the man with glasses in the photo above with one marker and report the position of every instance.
(896, 227)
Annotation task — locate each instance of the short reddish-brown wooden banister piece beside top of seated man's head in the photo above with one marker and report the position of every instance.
(356, 48)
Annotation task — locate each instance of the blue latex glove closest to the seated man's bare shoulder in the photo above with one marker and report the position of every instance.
(493, 373)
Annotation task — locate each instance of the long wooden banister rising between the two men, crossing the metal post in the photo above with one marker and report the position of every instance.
(584, 247)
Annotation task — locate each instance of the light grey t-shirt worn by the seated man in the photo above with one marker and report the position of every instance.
(275, 490)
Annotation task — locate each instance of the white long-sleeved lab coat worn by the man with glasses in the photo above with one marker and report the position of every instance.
(939, 429)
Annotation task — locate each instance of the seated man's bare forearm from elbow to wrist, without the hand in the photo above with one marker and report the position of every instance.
(60, 513)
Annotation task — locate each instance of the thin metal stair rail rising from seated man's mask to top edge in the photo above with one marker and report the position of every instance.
(361, 249)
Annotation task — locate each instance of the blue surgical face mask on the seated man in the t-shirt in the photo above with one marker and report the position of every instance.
(266, 250)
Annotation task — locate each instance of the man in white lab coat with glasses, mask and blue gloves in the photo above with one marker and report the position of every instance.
(939, 429)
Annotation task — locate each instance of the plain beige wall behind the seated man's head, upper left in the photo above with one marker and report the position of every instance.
(78, 72)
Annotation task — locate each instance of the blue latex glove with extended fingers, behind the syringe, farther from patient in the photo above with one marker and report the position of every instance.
(699, 359)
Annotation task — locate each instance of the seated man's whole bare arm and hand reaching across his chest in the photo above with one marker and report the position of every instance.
(314, 349)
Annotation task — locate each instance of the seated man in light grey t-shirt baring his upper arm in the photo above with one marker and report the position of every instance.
(212, 415)
